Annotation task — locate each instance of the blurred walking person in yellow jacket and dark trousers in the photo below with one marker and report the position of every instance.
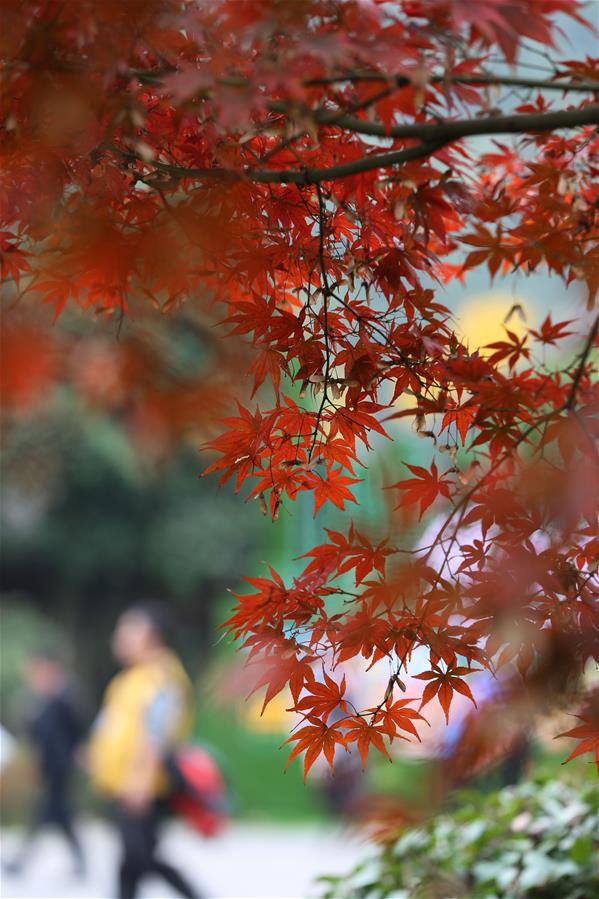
(145, 716)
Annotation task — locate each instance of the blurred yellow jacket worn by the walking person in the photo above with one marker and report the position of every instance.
(122, 731)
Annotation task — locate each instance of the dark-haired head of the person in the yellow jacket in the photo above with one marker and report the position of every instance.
(142, 631)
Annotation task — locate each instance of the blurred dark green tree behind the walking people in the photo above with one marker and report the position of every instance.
(90, 526)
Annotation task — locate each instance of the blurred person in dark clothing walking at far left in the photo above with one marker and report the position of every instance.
(55, 728)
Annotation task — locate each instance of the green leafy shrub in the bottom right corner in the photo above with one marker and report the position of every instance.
(533, 840)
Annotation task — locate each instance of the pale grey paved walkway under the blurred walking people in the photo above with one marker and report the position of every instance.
(250, 861)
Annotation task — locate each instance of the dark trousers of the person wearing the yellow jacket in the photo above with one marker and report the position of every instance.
(139, 835)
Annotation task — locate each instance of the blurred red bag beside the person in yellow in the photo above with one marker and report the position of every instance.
(200, 792)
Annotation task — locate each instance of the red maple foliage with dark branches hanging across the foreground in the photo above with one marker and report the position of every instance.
(314, 170)
